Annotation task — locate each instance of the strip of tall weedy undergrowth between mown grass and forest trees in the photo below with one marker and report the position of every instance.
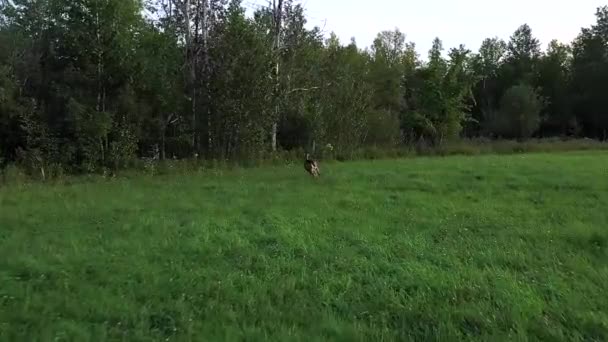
(14, 173)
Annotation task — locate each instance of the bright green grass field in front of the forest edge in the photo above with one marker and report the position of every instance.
(457, 248)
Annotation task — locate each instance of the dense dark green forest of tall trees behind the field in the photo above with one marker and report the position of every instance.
(95, 84)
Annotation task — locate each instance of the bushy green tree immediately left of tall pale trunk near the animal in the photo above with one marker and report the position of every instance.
(240, 113)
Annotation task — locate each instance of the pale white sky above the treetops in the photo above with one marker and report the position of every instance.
(455, 22)
